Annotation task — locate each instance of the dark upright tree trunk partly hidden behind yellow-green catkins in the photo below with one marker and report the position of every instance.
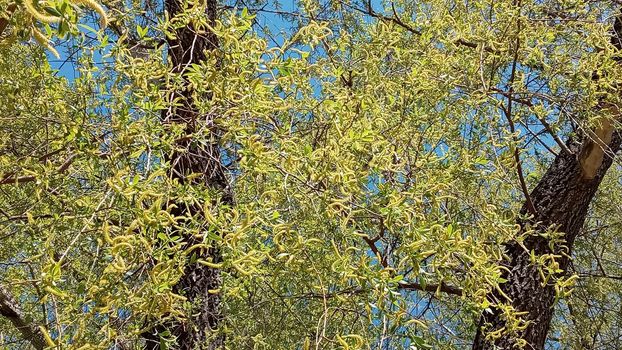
(194, 157)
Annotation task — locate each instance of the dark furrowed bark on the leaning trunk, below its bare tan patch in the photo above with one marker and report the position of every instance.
(561, 200)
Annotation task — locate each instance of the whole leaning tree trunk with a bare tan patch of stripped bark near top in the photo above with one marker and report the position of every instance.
(561, 200)
